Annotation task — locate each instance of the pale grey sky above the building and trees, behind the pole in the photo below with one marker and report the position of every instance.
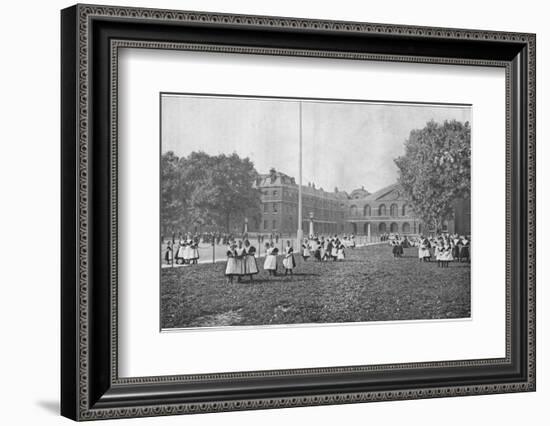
(344, 144)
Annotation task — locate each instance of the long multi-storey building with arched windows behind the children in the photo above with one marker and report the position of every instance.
(360, 212)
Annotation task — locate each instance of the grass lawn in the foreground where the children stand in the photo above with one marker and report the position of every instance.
(370, 285)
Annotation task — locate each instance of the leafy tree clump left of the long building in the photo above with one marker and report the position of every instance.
(213, 190)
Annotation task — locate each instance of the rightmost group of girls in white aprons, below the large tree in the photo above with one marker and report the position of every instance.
(445, 249)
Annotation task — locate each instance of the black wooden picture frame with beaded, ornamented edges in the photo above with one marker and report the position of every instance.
(90, 38)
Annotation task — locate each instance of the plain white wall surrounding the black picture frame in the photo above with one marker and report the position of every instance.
(29, 176)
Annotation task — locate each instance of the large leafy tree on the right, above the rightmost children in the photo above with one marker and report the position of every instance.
(435, 170)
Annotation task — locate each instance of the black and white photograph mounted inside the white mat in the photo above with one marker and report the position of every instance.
(296, 211)
